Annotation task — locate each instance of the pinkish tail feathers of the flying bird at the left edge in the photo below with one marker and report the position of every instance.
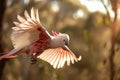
(9, 54)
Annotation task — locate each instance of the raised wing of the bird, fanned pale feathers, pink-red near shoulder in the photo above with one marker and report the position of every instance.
(28, 30)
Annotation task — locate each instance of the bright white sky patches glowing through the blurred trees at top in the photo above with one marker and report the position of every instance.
(92, 6)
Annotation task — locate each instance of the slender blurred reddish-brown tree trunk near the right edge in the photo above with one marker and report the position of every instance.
(115, 7)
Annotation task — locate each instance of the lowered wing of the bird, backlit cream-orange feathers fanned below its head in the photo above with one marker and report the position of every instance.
(59, 56)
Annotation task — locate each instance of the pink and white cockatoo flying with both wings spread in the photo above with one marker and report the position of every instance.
(29, 36)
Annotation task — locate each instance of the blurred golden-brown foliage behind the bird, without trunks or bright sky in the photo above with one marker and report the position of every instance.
(90, 37)
